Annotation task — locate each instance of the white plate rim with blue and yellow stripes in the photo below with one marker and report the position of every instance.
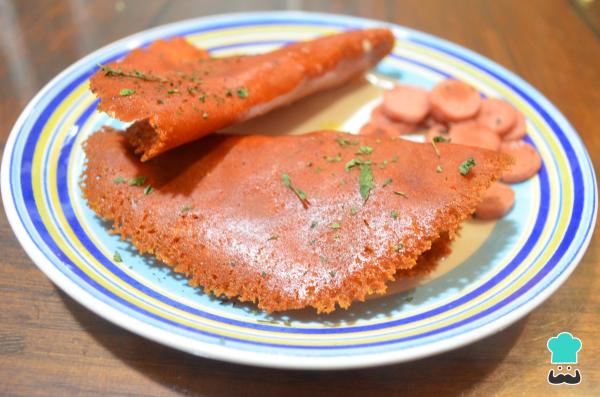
(38, 193)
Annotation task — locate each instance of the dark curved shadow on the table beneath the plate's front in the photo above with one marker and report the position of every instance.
(450, 373)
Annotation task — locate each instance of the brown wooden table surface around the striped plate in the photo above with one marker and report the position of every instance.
(51, 346)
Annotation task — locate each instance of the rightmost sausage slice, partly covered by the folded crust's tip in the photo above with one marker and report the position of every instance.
(527, 161)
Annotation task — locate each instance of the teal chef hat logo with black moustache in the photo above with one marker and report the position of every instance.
(563, 349)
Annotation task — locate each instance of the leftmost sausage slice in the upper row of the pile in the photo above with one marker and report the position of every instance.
(406, 103)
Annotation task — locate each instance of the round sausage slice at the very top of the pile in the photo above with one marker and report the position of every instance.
(453, 100)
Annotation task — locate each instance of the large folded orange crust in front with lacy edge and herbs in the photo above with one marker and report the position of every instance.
(222, 213)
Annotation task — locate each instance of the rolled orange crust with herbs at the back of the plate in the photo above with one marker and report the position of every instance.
(176, 93)
